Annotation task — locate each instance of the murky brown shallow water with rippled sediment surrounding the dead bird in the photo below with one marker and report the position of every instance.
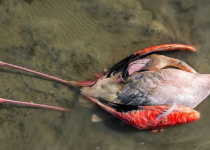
(69, 39)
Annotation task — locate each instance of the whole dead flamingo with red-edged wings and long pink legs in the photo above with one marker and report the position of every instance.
(143, 112)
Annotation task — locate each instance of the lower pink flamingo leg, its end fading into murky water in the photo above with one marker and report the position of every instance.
(2, 100)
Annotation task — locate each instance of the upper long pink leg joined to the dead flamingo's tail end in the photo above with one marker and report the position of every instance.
(71, 83)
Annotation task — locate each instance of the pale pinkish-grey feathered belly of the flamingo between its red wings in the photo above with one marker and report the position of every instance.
(165, 87)
